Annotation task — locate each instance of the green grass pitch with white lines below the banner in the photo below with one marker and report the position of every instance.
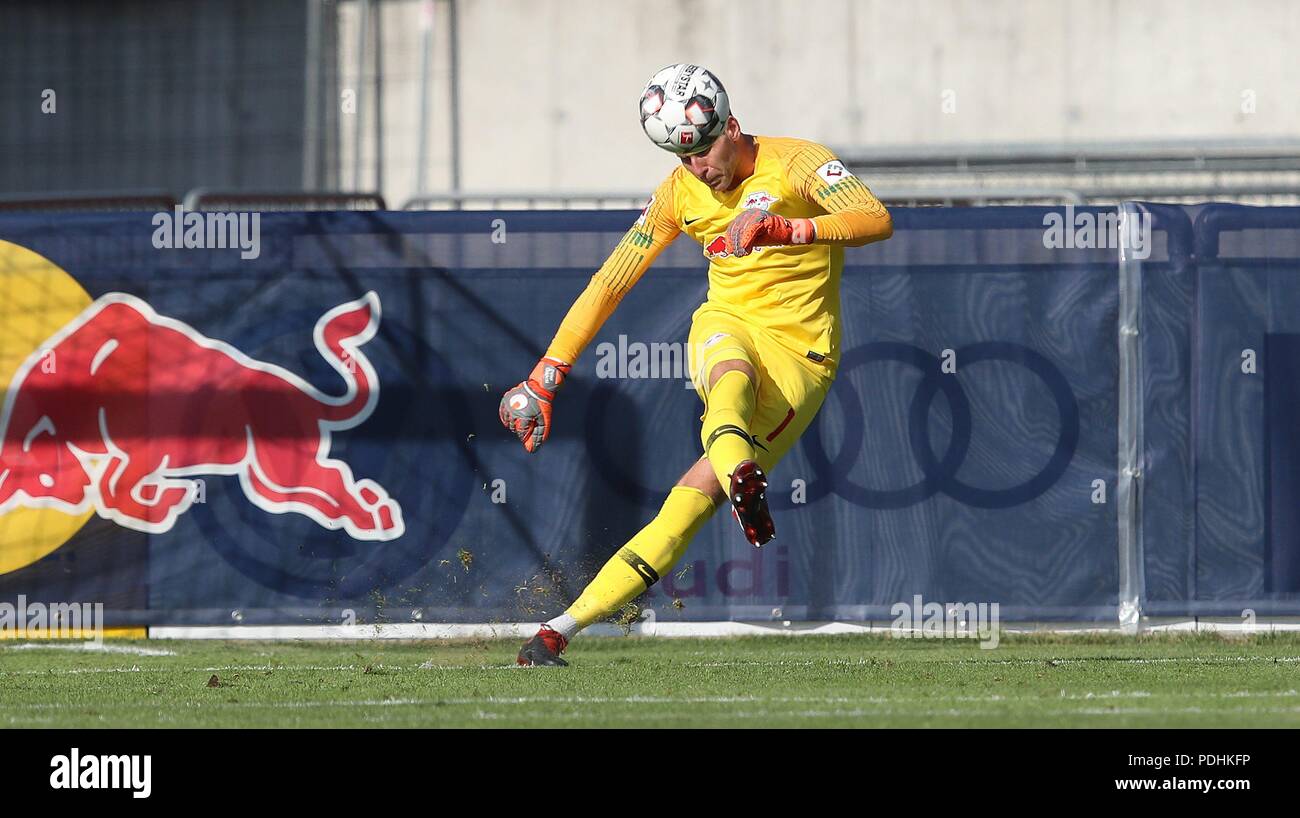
(1158, 681)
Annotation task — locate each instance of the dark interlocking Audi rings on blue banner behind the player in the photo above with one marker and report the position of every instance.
(831, 475)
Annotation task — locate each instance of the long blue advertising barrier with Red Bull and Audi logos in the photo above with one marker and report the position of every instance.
(1034, 409)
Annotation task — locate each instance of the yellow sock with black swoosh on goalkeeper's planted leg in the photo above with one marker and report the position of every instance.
(647, 557)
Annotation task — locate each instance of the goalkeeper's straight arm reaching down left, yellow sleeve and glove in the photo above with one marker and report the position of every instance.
(526, 410)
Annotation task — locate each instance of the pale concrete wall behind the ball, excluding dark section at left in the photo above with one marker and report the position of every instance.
(549, 88)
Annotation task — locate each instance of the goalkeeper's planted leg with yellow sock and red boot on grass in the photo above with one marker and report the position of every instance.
(638, 566)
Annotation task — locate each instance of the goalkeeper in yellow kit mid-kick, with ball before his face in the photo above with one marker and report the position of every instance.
(774, 217)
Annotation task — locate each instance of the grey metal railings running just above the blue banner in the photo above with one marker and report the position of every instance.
(1266, 172)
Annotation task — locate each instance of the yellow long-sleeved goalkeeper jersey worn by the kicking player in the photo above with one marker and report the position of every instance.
(792, 293)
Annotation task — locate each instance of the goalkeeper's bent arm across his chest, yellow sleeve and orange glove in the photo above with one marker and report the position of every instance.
(853, 215)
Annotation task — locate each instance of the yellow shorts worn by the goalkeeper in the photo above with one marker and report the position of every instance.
(790, 391)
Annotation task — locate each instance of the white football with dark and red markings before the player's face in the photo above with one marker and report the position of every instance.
(684, 109)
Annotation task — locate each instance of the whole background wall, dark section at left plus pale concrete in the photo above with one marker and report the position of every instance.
(214, 93)
